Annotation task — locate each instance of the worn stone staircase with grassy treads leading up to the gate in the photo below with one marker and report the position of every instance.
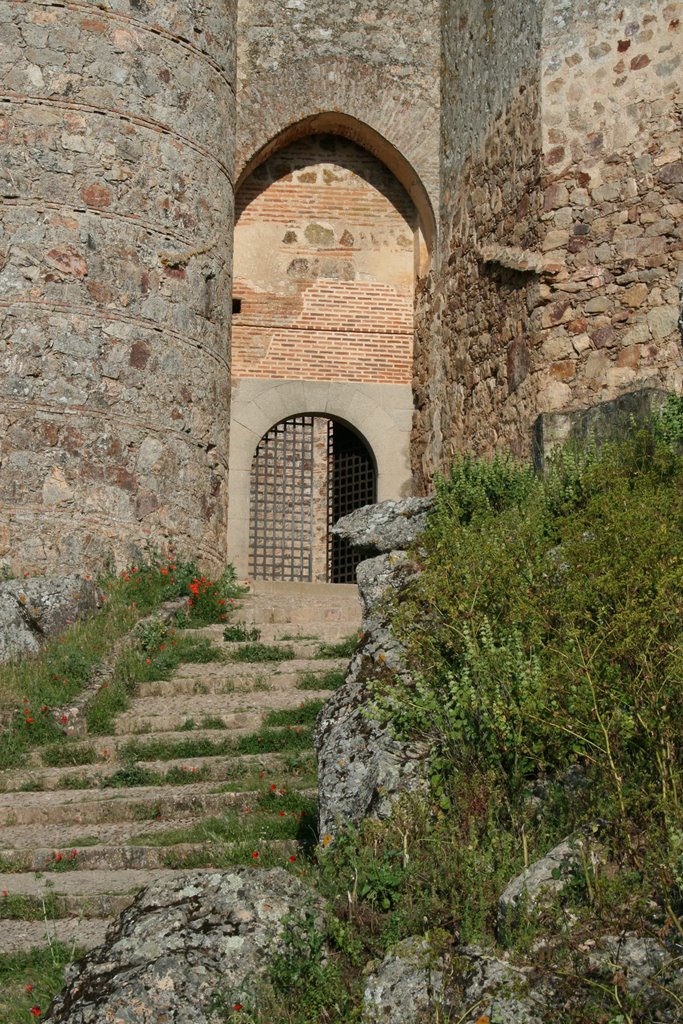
(78, 842)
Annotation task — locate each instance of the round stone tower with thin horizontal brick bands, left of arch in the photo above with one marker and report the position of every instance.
(117, 127)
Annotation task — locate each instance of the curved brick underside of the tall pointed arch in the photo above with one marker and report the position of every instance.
(350, 127)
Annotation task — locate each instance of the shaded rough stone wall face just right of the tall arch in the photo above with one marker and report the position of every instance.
(473, 314)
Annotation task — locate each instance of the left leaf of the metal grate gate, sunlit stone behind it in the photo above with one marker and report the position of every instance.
(282, 497)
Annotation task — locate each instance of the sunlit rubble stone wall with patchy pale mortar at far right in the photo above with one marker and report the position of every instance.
(613, 222)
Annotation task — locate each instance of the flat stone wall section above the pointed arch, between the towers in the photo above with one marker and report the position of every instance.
(377, 62)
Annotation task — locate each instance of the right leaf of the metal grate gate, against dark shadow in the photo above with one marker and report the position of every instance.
(352, 487)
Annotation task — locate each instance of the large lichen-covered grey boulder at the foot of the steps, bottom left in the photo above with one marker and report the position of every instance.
(181, 944)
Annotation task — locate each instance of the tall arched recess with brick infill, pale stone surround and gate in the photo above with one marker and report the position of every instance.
(327, 249)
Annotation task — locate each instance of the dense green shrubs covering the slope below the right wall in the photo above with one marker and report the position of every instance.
(545, 632)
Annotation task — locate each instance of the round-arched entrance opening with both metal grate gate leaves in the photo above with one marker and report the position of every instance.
(307, 474)
